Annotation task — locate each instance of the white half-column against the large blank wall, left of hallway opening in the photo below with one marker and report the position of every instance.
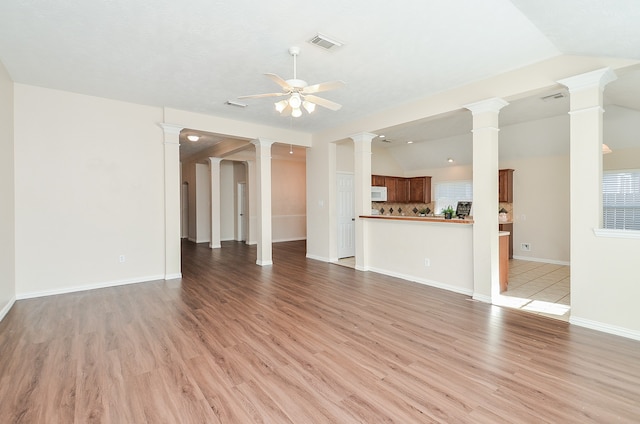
(172, 267)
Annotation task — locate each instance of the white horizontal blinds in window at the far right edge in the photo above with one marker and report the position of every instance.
(621, 200)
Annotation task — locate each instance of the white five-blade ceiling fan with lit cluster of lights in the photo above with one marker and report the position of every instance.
(300, 93)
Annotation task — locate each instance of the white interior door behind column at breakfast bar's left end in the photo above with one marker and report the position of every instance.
(346, 216)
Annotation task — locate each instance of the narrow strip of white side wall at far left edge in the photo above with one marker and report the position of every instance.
(7, 194)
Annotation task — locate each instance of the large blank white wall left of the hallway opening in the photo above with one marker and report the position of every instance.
(89, 186)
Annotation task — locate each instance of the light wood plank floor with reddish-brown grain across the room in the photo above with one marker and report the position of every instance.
(302, 341)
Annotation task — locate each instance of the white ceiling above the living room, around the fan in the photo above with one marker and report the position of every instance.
(196, 55)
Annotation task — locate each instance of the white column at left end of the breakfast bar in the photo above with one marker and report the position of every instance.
(362, 188)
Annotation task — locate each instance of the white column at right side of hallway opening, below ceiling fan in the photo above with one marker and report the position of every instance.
(263, 185)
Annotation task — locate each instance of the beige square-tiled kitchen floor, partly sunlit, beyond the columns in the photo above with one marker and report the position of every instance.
(534, 287)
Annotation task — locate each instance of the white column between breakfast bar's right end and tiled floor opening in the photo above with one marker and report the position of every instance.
(486, 272)
